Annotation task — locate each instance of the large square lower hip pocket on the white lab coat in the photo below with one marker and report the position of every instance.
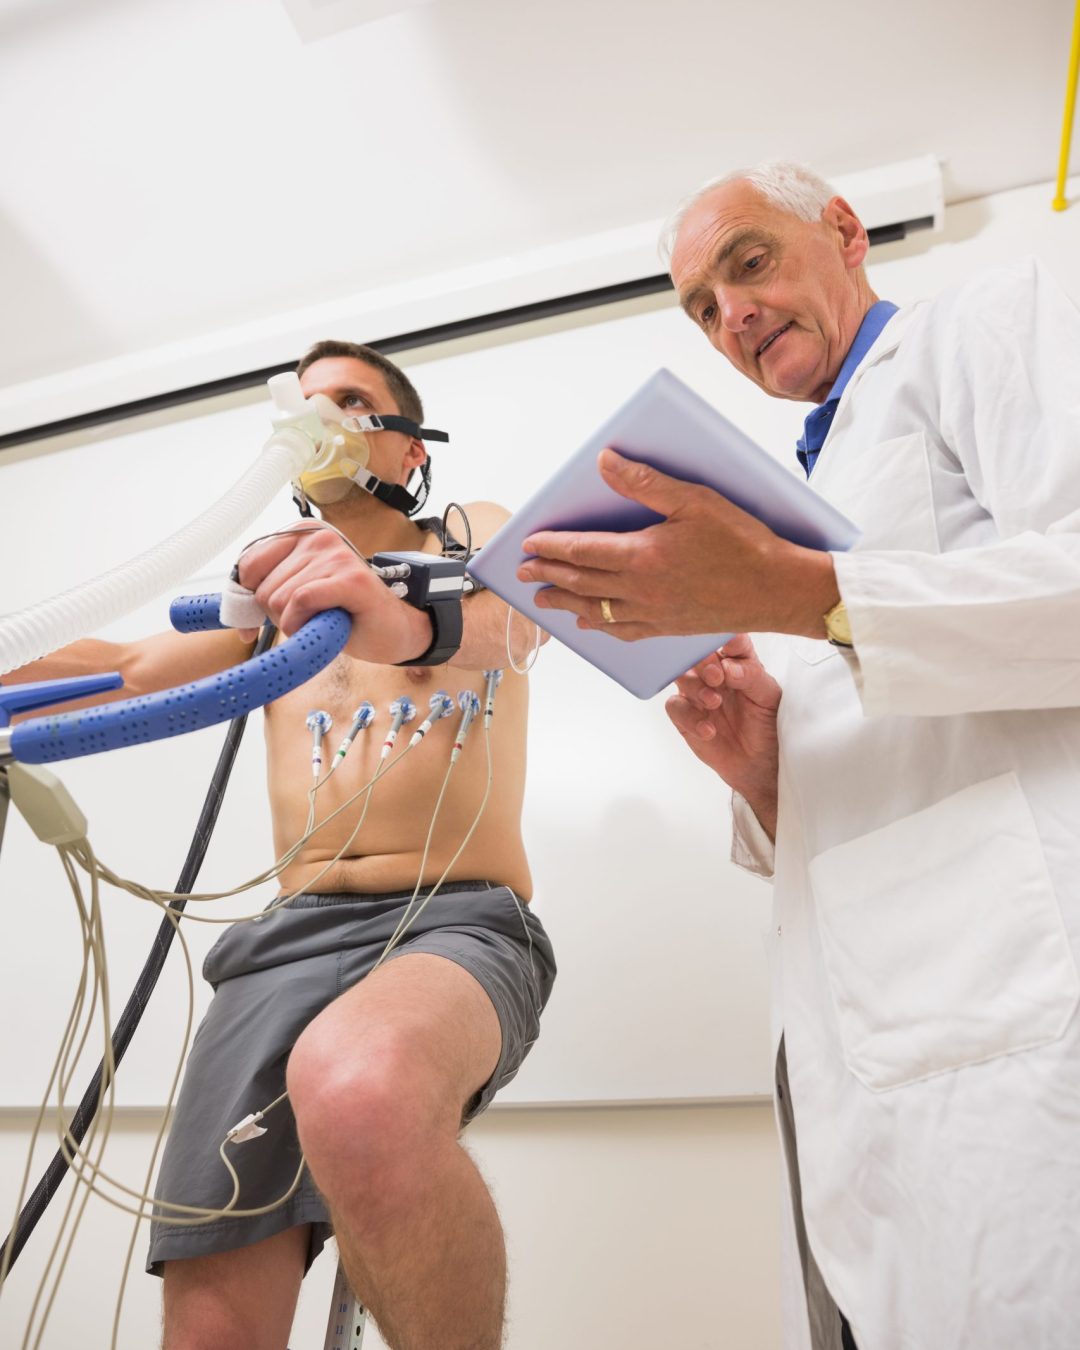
(943, 939)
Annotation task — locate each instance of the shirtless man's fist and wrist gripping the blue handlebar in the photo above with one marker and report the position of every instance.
(311, 568)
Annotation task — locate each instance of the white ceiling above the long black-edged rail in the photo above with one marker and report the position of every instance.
(171, 168)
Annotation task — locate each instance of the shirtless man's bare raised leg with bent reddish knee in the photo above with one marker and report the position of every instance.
(379, 1083)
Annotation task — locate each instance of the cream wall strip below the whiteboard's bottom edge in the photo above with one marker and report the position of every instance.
(647, 1229)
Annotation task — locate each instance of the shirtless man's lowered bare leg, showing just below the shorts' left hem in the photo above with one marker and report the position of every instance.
(236, 1299)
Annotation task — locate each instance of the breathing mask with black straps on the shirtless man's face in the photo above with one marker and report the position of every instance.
(345, 453)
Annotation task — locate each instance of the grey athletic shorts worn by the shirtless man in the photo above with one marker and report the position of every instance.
(272, 978)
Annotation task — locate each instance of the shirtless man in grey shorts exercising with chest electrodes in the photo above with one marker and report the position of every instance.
(384, 1067)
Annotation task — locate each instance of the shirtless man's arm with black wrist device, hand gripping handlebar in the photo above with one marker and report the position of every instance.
(299, 574)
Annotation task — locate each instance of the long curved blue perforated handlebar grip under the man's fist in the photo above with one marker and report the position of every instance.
(190, 708)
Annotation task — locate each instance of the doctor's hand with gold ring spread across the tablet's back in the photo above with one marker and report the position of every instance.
(707, 568)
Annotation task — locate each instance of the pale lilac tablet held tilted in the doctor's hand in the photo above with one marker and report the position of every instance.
(668, 426)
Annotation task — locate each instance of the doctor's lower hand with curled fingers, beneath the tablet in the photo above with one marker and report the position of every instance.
(726, 712)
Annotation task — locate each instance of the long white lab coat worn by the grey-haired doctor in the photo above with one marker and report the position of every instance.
(928, 858)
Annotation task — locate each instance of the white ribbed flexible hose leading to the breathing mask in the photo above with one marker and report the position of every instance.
(43, 628)
